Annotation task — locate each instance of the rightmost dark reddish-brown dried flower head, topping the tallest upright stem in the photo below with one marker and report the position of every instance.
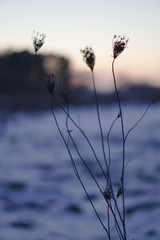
(119, 44)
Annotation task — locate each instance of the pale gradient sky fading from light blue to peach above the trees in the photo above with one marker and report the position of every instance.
(73, 24)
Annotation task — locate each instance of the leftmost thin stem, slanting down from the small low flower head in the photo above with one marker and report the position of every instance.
(76, 170)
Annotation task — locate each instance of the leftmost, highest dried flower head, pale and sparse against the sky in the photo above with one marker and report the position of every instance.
(38, 40)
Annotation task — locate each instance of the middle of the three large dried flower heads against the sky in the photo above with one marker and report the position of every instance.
(88, 57)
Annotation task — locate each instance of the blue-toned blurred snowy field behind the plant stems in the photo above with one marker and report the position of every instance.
(40, 196)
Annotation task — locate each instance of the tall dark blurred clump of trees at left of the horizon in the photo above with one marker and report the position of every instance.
(20, 82)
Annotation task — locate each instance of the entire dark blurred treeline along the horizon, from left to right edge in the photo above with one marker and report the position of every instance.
(21, 86)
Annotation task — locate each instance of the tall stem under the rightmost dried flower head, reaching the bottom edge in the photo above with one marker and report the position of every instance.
(123, 145)
